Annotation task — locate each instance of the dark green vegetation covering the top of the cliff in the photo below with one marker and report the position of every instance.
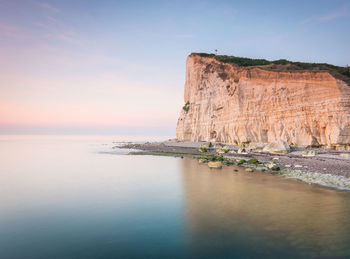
(342, 73)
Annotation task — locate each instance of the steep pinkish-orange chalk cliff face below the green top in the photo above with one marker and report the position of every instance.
(232, 104)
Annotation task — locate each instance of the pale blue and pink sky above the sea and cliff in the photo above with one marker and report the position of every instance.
(118, 67)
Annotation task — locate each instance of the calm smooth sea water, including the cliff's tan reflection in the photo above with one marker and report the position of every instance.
(67, 197)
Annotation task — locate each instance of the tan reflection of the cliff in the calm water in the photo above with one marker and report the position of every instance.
(256, 214)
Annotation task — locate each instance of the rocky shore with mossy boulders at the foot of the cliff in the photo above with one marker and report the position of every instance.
(325, 167)
